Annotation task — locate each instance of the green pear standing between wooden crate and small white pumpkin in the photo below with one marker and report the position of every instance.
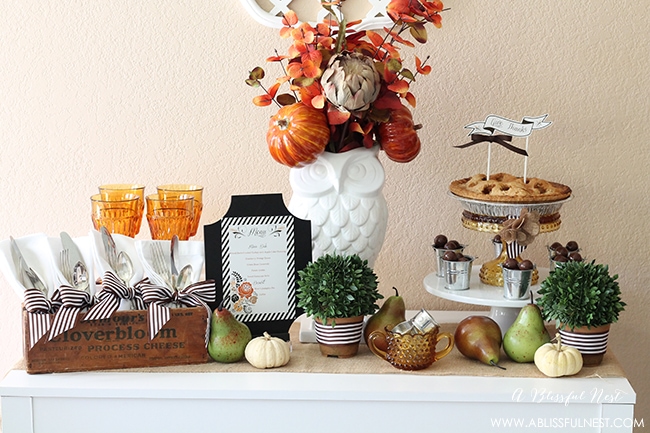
(228, 336)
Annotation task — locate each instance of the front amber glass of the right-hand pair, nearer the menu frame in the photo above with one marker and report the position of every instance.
(170, 216)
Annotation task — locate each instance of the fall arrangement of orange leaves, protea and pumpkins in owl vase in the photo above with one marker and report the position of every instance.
(346, 87)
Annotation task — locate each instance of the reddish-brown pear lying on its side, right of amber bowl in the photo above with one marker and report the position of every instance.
(479, 337)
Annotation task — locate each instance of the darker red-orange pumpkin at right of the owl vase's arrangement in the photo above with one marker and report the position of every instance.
(398, 137)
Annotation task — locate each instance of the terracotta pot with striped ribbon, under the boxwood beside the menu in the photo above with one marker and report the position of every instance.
(342, 339)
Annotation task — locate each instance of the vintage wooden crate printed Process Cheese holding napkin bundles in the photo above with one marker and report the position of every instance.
(122, 341)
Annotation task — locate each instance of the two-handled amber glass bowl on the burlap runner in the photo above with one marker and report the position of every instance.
(411, 351)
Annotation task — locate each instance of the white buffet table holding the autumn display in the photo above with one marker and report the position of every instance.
(276, 401)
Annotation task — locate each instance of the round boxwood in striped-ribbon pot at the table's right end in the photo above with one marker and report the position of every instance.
(584, 300)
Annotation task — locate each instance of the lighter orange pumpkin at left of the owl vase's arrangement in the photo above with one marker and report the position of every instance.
(297, 134)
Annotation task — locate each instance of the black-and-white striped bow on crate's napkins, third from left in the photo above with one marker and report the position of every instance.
(111, 294)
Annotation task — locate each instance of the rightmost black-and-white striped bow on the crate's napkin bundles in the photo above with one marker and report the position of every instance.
(158, 298)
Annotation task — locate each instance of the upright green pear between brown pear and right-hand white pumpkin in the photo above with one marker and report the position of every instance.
(527, 334)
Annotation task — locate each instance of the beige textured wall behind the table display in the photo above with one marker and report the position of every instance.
(153, 92)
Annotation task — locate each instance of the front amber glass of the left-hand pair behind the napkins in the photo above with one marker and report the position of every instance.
(117, 215)
